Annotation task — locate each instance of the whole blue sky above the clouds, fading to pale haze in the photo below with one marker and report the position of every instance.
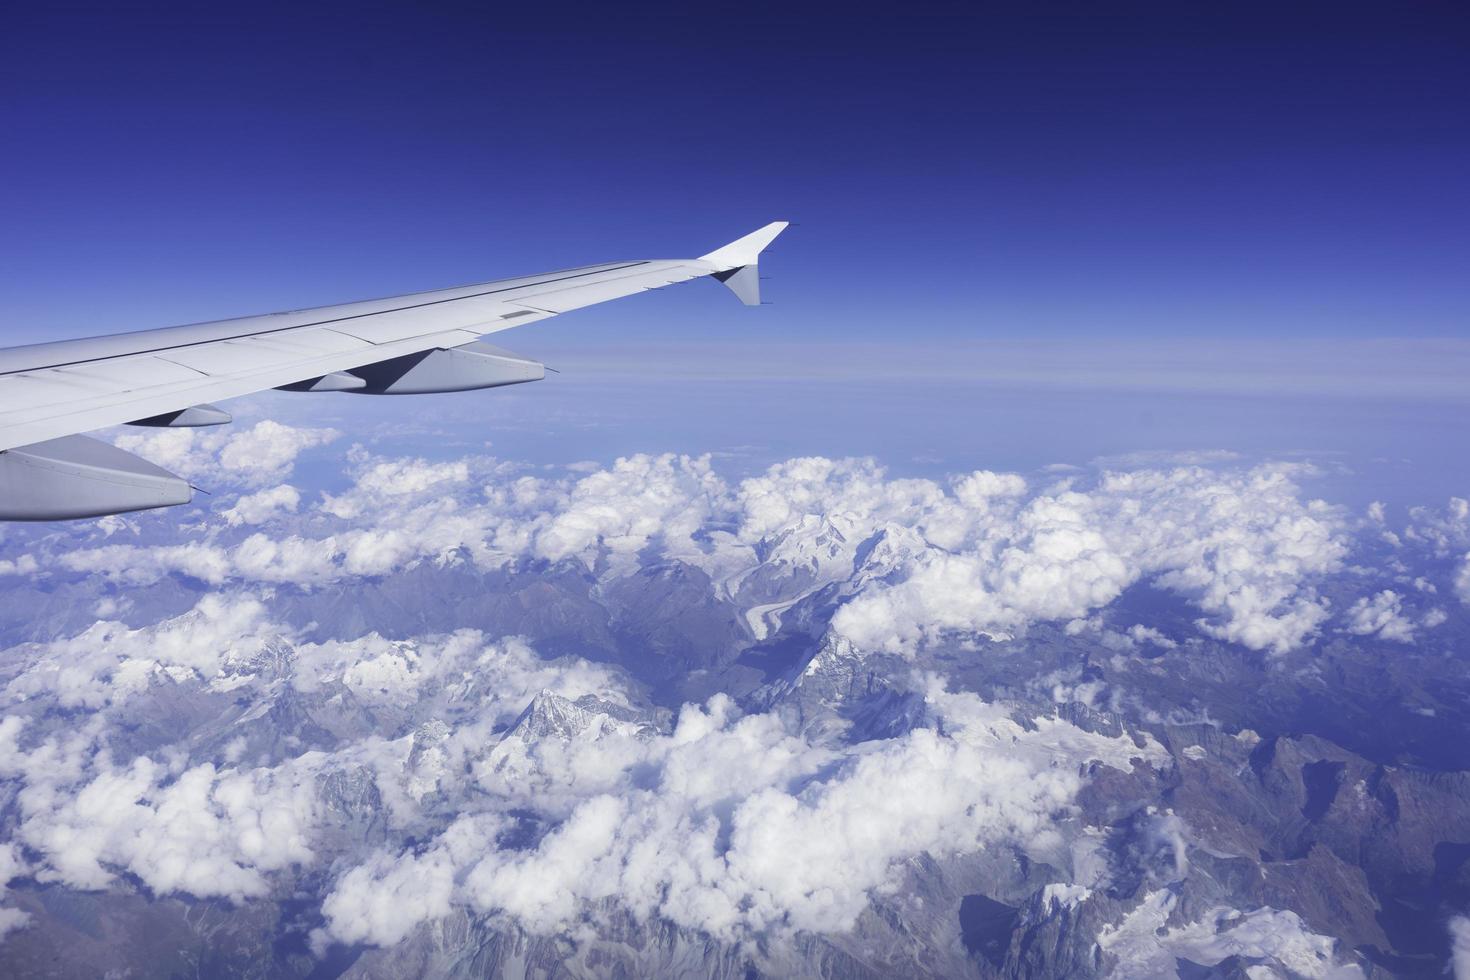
(1266, 206)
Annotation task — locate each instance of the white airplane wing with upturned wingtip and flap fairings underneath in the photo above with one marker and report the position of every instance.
(408, 345)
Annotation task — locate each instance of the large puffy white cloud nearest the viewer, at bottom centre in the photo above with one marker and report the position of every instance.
(734, 826)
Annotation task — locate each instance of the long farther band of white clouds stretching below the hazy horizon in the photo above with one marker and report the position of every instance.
(977, 556)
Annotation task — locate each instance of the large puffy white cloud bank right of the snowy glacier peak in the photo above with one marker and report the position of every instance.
(1241, 544)
